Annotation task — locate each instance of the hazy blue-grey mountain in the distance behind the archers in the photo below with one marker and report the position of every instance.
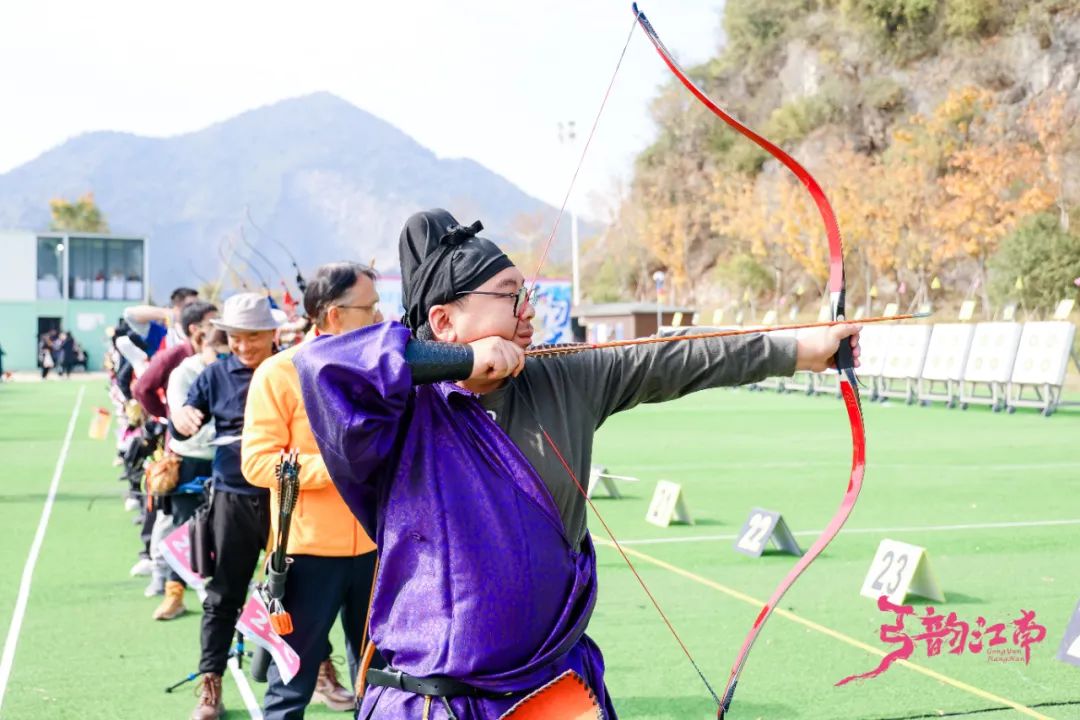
(331, 181)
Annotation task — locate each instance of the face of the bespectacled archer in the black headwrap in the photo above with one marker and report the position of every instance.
(480, 316)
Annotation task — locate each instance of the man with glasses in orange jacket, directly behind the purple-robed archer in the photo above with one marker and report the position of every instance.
(333, 561)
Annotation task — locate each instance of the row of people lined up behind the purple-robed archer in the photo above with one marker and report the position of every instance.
(209, 400)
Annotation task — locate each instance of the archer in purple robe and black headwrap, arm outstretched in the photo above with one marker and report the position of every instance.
(435, 438)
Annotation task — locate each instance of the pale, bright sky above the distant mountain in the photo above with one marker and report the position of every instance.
(510, 71)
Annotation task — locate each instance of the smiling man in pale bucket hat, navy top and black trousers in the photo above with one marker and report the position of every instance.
(239, 512)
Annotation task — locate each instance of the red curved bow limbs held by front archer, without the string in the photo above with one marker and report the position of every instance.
(845, 362)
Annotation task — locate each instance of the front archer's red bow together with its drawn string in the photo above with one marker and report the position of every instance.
(845, 364)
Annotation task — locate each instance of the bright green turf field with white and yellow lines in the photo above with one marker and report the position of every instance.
(88, 648)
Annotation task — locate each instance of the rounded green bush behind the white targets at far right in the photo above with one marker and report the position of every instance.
(1045, 257)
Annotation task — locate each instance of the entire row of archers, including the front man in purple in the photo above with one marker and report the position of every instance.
(441, 441)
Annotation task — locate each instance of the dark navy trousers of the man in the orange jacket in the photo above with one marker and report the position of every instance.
(317, 591)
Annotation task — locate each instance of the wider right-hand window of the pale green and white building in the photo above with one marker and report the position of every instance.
(106, 269)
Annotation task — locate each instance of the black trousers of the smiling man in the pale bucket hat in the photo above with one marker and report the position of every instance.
(241, 525)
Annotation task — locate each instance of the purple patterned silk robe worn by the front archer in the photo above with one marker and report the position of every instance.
(478, 580)
